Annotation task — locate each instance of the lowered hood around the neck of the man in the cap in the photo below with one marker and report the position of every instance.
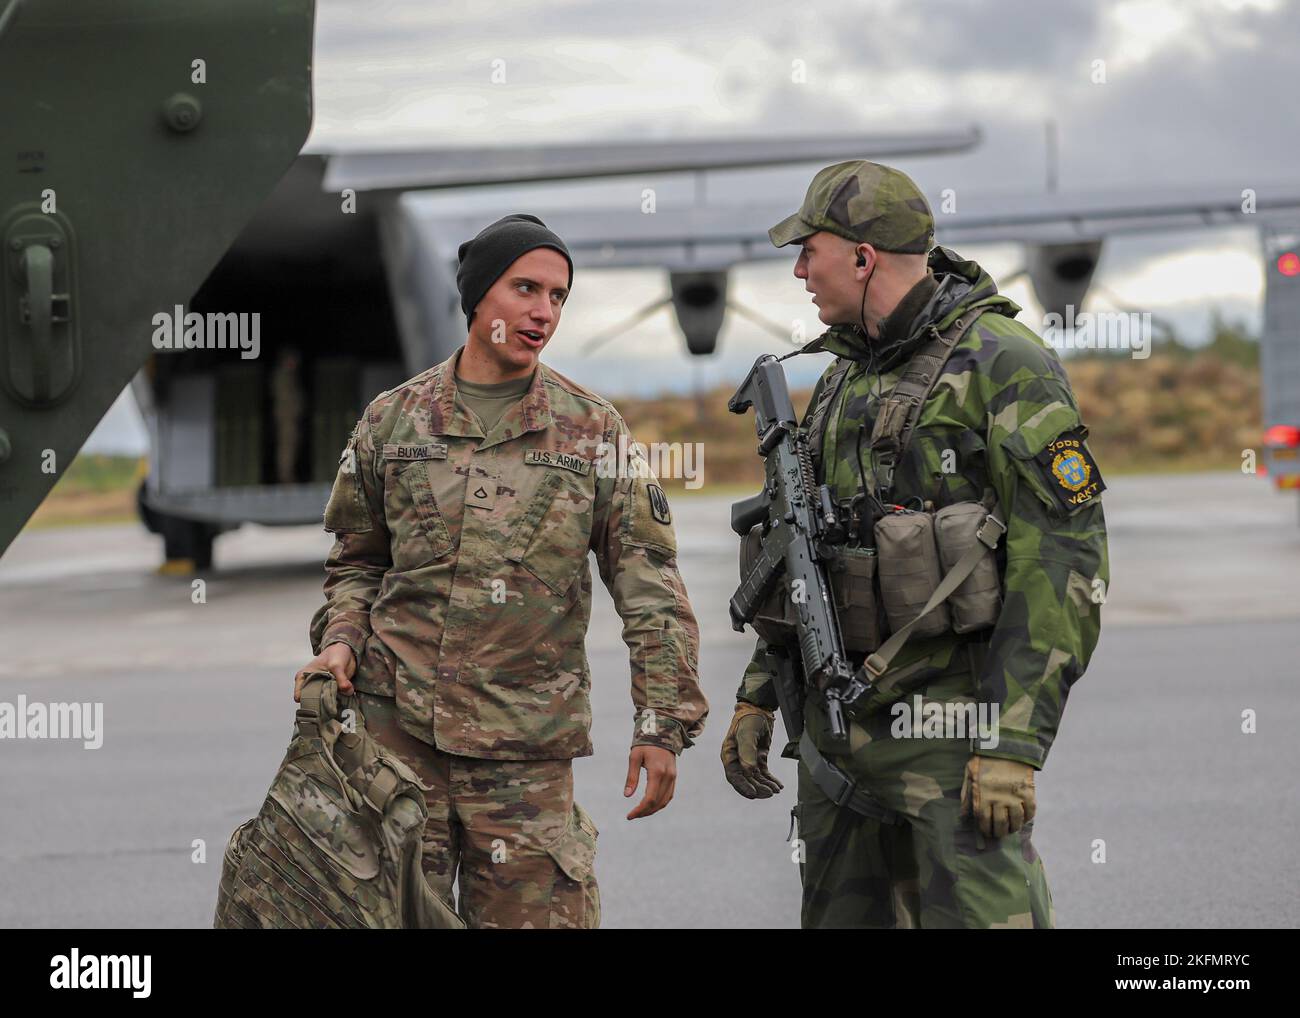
(963, 285)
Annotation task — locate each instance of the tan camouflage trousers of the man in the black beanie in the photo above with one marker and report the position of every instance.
(506, 833)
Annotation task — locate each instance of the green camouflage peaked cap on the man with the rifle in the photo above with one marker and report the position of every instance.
(866, 203)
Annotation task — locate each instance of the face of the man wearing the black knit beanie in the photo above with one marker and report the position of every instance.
(521, 313)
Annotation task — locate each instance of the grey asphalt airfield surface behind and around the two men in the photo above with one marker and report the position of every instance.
(1199, 821)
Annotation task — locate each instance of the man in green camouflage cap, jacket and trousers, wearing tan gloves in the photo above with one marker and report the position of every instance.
(948, 838)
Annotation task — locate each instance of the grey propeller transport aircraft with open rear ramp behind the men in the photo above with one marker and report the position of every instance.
(370, 300)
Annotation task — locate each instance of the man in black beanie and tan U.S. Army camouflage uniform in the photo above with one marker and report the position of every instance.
(458, 594)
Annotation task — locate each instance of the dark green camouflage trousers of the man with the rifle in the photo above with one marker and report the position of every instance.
(935, 869)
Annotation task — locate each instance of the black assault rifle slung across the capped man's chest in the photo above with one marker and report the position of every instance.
(799, 522)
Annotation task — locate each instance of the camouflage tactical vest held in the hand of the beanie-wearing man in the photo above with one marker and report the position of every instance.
(339, 841)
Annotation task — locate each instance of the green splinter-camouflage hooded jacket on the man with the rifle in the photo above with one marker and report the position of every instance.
(1000, 418)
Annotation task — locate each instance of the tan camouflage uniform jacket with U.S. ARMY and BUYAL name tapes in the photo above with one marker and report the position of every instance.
(460, 575)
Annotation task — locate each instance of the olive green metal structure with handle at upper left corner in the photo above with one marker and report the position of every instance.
(140, 137)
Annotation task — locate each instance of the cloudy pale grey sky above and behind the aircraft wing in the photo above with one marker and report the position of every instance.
(1195, 93)
